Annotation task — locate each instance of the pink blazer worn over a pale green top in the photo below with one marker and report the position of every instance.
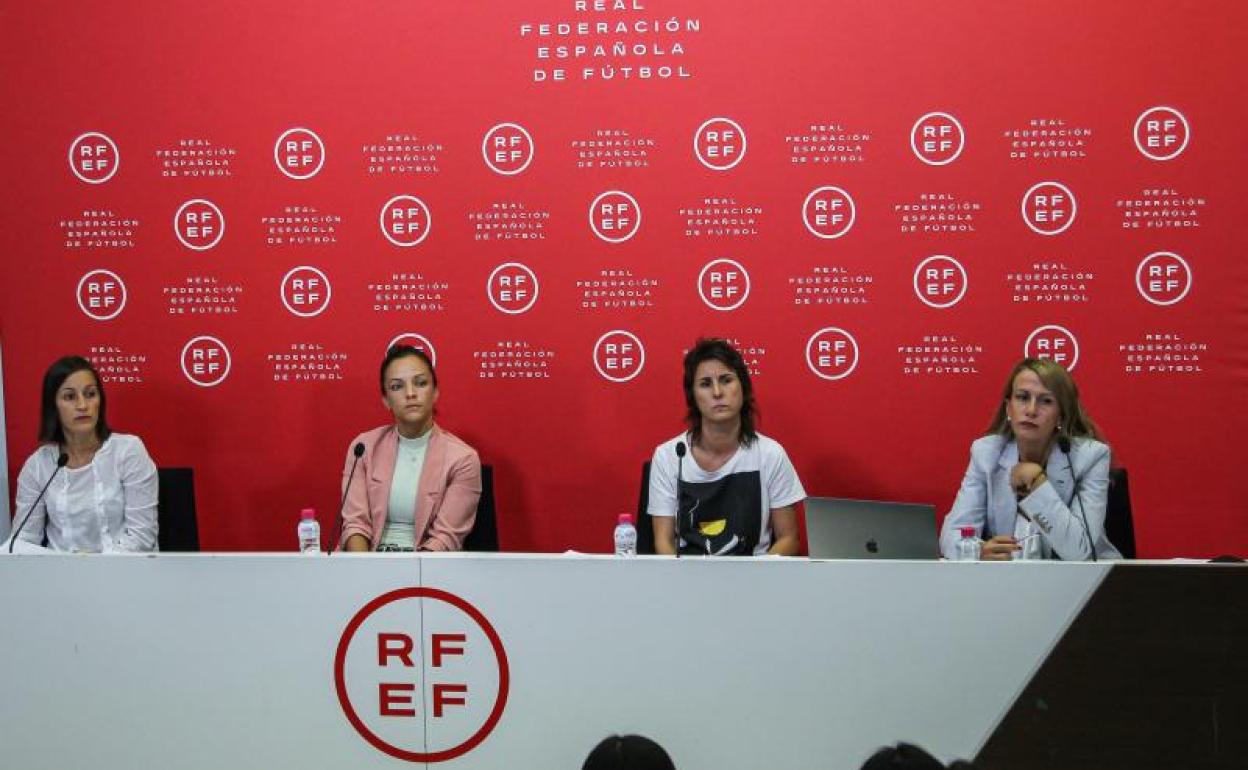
(446, 497)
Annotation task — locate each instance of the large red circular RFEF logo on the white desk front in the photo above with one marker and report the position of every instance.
(421, 675)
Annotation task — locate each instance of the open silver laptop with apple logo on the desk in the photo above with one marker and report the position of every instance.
(839, 529)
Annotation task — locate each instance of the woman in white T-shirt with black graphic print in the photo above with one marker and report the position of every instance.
(723, 489)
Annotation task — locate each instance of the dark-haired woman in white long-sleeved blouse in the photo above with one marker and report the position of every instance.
(105, 497)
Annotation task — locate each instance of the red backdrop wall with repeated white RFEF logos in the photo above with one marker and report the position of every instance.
(192, 100)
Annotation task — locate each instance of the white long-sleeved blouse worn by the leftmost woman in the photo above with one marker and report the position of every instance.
(105, 506)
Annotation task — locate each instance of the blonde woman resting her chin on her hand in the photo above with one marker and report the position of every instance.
(1039, 481)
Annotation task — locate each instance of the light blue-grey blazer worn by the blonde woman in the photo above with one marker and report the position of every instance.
(988, 504)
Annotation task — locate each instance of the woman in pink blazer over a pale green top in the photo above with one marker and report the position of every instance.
(419, 486)
